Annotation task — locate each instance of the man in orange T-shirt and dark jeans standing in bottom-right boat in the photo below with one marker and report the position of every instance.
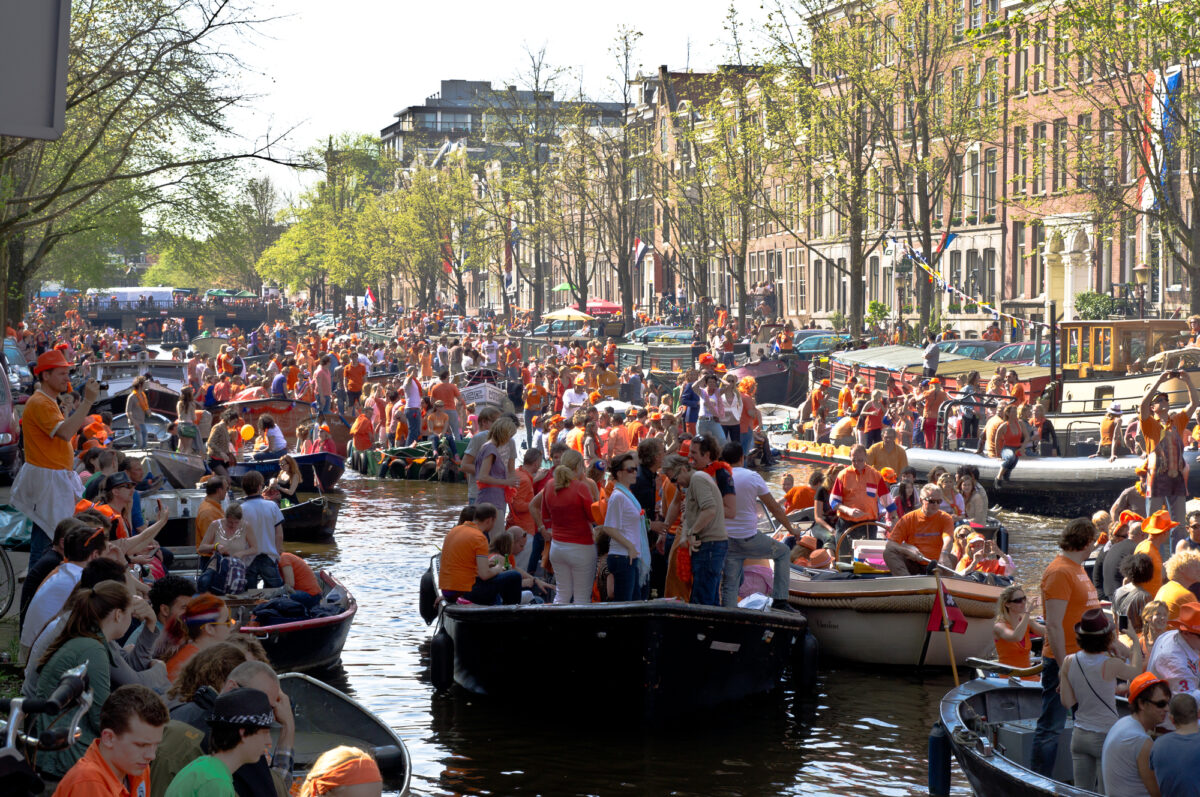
(1069, 594)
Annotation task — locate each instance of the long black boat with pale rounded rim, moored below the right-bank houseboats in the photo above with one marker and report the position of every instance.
(1066, 487)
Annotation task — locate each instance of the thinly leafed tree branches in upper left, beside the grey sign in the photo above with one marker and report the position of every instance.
(147, 93)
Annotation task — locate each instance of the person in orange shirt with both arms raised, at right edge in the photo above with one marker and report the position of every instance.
(1165, 435)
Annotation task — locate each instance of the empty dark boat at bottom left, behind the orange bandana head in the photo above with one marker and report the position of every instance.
(327, 718)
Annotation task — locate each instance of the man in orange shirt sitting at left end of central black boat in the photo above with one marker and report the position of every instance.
(466, 571)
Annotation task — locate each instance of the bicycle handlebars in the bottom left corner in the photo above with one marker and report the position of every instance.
(19, 756)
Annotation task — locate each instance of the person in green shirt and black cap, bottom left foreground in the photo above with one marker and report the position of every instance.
(241, 734)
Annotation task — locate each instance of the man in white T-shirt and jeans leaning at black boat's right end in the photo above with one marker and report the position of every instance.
(746, 541)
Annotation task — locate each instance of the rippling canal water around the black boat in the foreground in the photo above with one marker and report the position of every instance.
(865, 733)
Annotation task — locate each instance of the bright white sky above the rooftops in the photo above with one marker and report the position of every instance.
(323, 68)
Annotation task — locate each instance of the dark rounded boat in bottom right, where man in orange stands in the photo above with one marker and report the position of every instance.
(988, 724)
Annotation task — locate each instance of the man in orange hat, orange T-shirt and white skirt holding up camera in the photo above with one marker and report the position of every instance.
(47, 487)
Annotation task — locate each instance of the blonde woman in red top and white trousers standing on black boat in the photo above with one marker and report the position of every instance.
(566, 506)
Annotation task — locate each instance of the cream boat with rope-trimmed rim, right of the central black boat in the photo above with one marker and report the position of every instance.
(881, 620)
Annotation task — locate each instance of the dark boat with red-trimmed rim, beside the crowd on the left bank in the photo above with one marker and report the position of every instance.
(307, 644)
